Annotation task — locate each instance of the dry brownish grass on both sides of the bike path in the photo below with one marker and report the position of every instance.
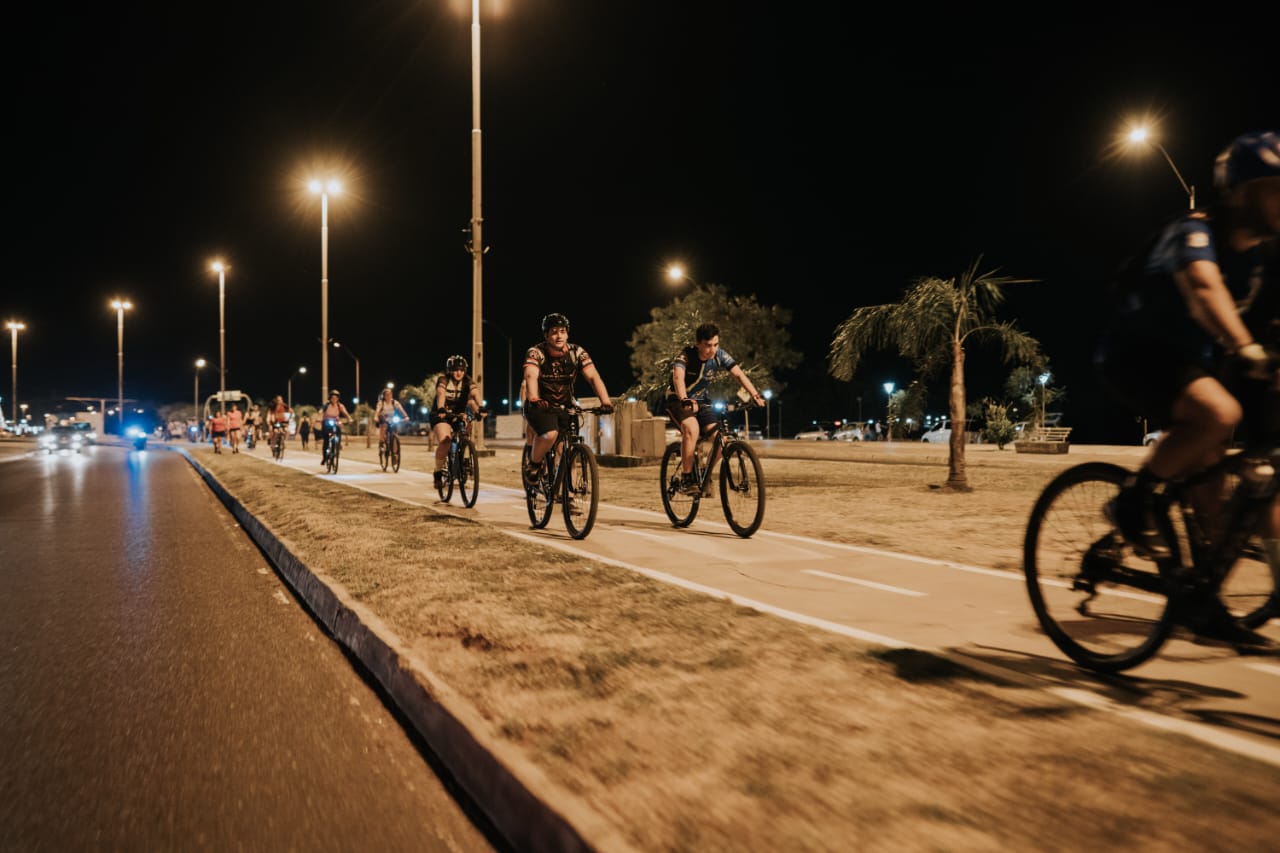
(693, 724)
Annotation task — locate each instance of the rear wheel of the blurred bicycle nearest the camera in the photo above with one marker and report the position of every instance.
(1103, 605)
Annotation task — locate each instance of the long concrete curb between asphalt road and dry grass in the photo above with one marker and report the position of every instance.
(500, 781)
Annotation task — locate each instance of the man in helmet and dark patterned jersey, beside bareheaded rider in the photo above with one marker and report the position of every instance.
(551, 371)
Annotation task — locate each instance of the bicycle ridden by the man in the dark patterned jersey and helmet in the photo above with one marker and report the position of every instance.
(570, 476)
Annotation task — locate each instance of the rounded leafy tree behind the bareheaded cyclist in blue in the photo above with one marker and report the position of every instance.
(756, 336)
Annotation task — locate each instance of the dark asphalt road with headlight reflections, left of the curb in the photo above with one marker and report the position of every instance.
(162, 690)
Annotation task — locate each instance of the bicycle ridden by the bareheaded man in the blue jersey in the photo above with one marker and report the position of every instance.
(742, 481)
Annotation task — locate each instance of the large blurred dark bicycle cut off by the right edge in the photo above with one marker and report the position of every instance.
(1110, 609)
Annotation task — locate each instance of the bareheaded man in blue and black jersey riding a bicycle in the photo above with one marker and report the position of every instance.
(688, 402)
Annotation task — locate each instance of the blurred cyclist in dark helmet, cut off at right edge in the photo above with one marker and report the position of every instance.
(1173, 323)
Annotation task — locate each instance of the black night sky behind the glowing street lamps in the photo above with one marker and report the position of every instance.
(793, 152)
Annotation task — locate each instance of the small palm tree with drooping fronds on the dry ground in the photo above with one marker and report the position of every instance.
(931, 327)
